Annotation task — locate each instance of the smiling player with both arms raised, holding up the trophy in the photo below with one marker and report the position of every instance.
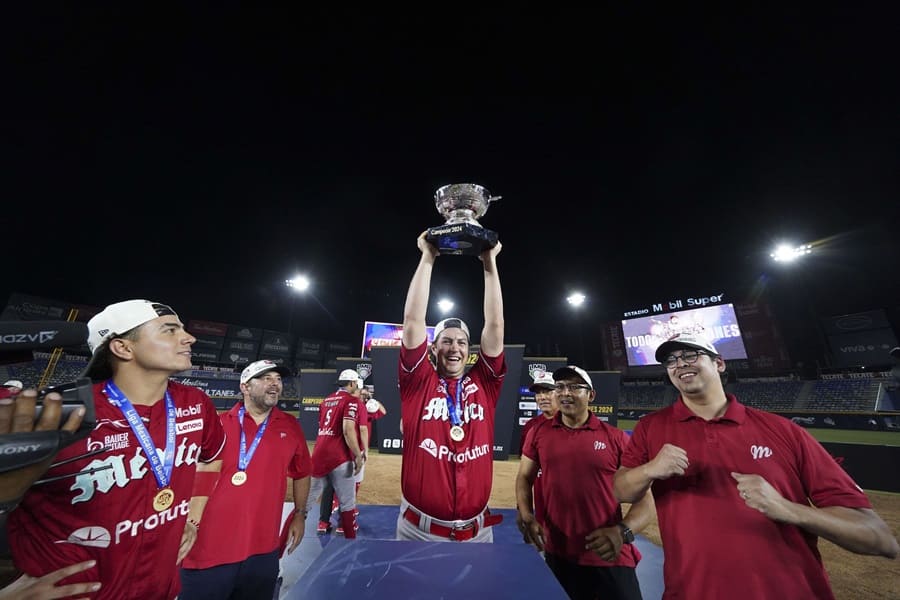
(448, 414)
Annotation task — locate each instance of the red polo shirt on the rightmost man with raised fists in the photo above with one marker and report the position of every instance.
(703, 516)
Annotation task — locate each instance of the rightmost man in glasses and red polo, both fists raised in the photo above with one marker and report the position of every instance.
(742, 495)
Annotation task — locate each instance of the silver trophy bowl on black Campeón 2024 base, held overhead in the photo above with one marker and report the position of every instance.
(461, 205)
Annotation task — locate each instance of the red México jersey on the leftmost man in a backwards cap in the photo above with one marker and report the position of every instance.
(108, 515)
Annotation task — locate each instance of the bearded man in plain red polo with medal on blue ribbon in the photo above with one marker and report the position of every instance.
(239, 558)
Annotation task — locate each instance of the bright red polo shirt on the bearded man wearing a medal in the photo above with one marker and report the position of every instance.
(282, 453)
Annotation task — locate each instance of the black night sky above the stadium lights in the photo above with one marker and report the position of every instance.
(200, 156)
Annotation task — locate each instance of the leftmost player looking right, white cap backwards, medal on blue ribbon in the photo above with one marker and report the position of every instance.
(127, 503)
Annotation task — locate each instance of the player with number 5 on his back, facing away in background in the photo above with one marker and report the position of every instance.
(338, 455)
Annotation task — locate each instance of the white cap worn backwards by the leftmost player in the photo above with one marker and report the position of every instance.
(115, 320)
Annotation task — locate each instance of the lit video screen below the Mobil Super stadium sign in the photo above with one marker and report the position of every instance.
(718, 324)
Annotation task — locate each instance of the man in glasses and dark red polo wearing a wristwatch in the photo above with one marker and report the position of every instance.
(586, 541)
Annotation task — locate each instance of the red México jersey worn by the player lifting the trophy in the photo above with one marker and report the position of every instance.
(446, 479)
